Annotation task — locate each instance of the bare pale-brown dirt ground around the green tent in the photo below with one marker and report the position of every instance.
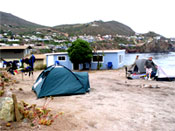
(113, 104)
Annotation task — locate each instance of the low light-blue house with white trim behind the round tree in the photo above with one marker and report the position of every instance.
(116, 57)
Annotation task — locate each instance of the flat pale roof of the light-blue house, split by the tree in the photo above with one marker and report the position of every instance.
(98, 51)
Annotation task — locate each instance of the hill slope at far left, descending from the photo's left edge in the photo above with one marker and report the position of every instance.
(16, 24)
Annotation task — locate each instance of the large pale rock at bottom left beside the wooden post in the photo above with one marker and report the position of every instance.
(6, 109)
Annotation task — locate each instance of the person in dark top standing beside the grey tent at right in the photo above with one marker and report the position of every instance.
(149, 65)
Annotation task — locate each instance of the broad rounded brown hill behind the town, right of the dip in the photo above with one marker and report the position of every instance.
(95, 28)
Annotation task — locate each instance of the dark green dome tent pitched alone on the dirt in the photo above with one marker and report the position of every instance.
(59, 80)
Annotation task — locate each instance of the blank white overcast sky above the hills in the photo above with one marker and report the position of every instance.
(141, 15)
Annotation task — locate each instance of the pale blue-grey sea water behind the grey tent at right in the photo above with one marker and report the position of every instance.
(166, 61)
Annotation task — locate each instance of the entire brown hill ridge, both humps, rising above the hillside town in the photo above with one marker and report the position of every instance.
(19, 25)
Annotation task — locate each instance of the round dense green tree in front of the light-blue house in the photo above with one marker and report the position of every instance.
(80, 52)
